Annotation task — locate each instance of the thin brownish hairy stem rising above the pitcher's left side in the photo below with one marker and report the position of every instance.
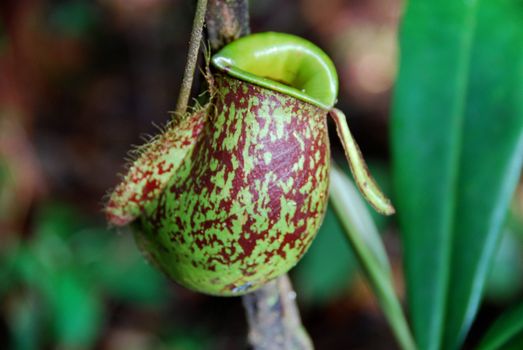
(192, 57)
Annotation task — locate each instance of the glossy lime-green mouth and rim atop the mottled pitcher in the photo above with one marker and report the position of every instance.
(284, 63)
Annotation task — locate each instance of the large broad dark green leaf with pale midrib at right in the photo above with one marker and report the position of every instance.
(457, 135)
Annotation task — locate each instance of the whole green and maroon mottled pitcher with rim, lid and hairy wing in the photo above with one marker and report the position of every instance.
(232, 195)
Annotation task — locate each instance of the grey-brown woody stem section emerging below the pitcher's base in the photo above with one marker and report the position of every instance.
(274, 319)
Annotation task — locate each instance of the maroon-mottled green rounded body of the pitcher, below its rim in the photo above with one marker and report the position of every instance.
(230, 214)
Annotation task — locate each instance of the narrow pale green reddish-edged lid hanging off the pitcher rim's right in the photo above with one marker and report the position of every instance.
(358, 167)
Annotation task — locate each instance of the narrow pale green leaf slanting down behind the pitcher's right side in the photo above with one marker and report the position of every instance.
(370, 252)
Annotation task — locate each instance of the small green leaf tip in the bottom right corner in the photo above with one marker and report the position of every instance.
(506, 332)
